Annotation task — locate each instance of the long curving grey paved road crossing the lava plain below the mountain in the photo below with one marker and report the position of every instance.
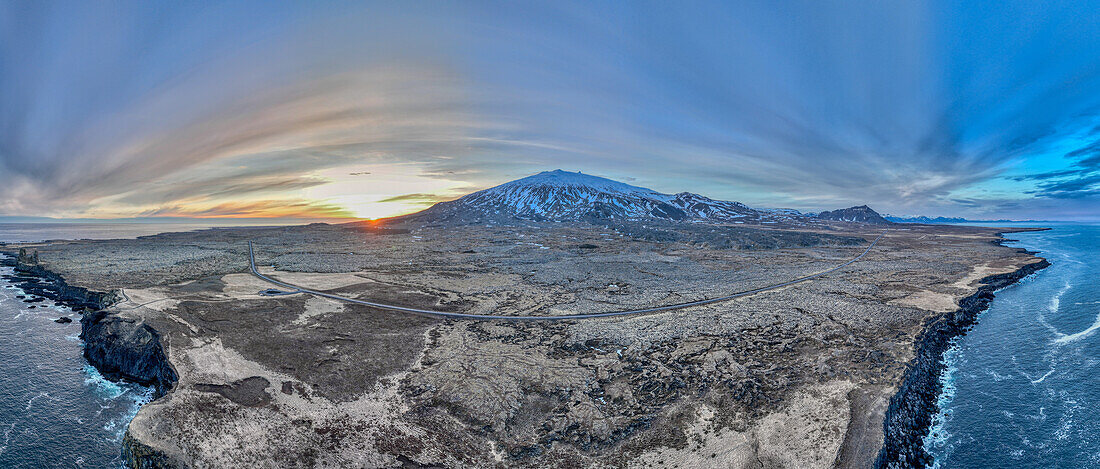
(296, 289)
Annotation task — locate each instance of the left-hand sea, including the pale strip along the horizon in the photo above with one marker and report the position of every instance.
(57, 411)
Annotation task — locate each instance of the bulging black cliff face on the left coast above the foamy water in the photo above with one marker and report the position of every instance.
(125, 348)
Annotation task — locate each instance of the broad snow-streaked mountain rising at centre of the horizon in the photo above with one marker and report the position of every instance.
(559, 195)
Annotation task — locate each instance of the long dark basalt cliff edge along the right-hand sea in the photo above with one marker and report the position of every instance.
(910, 415)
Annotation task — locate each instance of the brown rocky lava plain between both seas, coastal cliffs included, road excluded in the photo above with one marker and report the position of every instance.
(800, 377)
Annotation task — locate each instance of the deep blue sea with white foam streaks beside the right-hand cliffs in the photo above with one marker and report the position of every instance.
(1022, 389)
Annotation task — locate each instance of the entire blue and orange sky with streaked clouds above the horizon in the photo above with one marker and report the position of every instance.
(974, 110)
